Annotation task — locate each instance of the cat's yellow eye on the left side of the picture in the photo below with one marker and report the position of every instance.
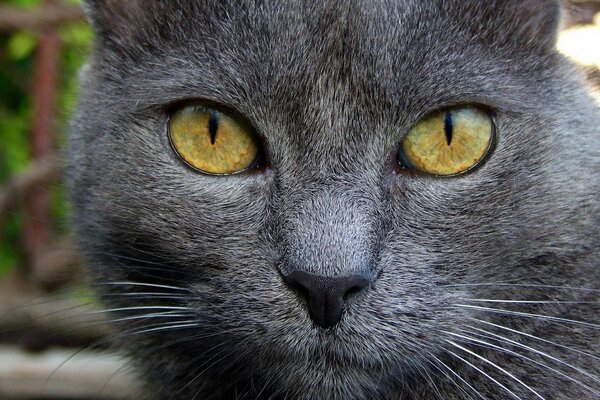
(212, 141)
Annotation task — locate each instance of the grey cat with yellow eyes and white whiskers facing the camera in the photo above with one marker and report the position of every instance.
(342, 199)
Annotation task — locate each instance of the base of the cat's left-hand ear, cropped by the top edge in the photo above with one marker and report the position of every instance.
(117, 19)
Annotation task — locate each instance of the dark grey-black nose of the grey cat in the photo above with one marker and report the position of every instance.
(325, 294)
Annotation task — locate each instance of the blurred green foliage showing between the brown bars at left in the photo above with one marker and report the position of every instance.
(17, 53)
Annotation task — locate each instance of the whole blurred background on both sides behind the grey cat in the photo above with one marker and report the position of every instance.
(53, 336)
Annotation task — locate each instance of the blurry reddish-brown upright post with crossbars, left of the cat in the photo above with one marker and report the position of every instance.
(46, 256)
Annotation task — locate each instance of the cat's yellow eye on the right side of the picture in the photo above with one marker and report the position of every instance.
(448, 142)
